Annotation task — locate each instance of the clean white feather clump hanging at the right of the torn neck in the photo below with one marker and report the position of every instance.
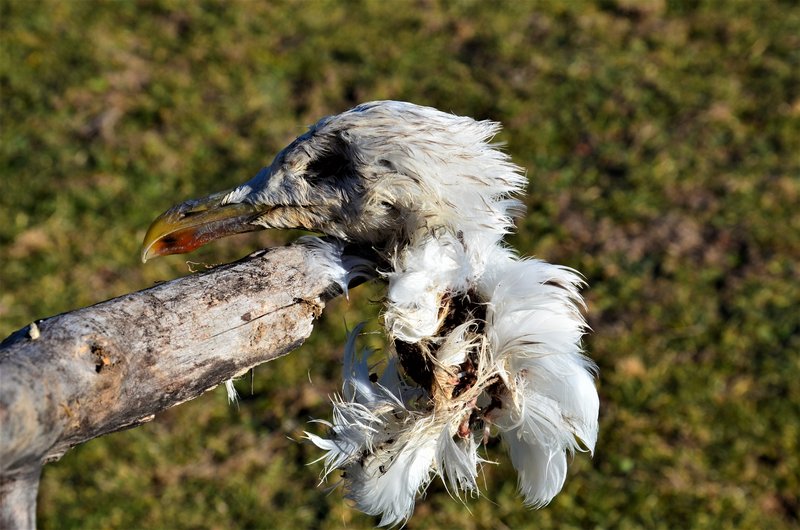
(535, 326)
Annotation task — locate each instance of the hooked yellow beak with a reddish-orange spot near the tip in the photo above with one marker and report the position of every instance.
(194, 223)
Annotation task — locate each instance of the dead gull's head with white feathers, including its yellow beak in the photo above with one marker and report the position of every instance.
(376, 174)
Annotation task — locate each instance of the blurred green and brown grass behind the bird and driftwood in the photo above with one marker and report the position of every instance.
(662, 141)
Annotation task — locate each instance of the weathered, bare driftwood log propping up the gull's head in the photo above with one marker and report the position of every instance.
(70, 378)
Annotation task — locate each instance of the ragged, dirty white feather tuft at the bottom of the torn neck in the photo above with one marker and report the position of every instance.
(388, 444)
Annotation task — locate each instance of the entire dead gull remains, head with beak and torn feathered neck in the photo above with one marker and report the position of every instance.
(478, 338)
